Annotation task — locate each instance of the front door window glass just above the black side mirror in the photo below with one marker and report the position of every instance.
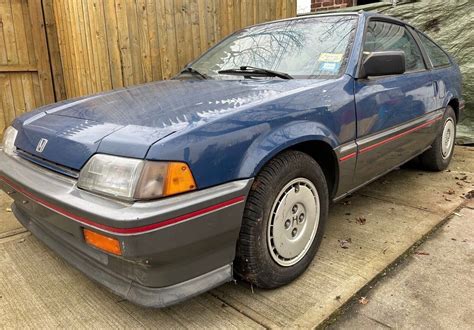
(383, 36)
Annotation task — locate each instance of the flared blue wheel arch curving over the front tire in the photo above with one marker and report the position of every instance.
(267, 146)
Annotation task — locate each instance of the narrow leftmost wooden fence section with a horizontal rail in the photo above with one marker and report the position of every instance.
(25, 75)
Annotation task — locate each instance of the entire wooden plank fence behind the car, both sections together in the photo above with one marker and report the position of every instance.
(57, 49)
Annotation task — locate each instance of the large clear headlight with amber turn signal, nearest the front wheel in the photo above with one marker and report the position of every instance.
(135, 179)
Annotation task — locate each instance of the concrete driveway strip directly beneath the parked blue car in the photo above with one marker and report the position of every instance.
(378, 224)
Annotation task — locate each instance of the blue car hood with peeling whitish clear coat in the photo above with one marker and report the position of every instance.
(128, 121)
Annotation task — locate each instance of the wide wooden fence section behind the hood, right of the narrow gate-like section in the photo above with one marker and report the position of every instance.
(114, 43)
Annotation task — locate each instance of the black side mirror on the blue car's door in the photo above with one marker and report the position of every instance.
(383, 63)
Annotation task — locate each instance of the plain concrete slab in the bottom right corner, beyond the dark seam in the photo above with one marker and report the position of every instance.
(432, 288)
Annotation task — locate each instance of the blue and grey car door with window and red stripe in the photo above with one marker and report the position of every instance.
(393, 112)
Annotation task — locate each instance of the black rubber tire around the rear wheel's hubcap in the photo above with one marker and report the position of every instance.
(433, 159)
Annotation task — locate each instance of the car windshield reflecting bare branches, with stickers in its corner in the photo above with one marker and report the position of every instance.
(304, 48)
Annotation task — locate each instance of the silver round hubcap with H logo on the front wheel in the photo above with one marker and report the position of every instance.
(294, 221)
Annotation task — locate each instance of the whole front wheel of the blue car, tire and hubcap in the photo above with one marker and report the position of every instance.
(283, 221)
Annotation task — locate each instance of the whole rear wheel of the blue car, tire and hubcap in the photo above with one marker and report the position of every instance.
(438, 157)
